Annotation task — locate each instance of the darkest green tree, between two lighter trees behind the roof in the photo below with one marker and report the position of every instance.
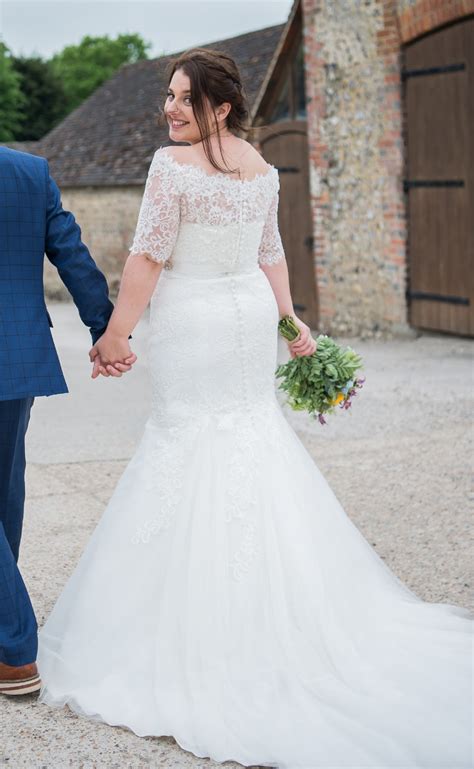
(44, 97)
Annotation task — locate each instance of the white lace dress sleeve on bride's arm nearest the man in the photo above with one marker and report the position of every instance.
(158, 220)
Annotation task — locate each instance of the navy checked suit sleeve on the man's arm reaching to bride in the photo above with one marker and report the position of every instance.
(77, 270)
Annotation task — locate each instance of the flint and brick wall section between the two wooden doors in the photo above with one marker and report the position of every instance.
(353, 60)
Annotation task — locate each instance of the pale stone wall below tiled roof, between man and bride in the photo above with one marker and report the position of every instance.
(107, 217)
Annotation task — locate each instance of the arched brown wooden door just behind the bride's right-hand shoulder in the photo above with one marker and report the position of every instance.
(285, 145)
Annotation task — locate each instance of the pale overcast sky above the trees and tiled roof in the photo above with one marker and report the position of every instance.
(44, 27)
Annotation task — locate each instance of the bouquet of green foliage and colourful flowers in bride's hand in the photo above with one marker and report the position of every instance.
(319, 382)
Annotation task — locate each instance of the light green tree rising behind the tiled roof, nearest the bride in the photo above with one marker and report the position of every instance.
(83, 68)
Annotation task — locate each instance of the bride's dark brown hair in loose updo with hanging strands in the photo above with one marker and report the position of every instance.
(214, 76)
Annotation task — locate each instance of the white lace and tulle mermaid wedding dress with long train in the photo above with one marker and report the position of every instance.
(225, 598)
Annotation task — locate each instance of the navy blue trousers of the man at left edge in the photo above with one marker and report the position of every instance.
(18, 626)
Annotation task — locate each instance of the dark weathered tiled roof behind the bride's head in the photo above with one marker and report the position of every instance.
(111, 138)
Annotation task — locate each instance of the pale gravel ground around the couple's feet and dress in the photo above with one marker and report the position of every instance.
(400, 464)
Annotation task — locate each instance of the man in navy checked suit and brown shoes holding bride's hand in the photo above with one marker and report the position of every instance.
(32, 223)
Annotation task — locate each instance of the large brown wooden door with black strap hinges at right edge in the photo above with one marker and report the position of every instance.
(439, 92)
